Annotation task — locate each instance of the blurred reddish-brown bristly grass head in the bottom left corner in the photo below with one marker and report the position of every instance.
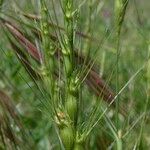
(9, 116)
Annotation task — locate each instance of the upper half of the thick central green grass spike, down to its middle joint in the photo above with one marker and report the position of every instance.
(68, 37)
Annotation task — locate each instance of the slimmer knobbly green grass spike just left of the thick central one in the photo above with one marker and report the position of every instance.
(49, 48)
